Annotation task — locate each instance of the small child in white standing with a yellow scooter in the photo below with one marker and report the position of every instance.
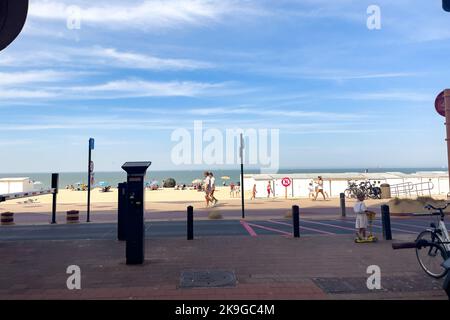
(364, 219)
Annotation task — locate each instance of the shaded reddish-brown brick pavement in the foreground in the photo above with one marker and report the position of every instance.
(266, 267)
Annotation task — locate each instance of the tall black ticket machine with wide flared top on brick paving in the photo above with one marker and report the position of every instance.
(135, 229)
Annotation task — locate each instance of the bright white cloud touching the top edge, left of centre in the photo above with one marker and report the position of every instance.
(146, 15)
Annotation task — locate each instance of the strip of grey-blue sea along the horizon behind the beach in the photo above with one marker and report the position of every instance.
(184, 177)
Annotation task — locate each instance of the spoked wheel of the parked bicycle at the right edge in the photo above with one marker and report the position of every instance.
(432, 256)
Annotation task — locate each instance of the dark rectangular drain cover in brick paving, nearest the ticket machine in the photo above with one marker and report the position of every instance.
(207, 279)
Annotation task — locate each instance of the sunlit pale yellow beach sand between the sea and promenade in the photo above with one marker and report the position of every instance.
(165, 200)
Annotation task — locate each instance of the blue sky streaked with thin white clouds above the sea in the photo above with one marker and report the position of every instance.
(340, 94)
